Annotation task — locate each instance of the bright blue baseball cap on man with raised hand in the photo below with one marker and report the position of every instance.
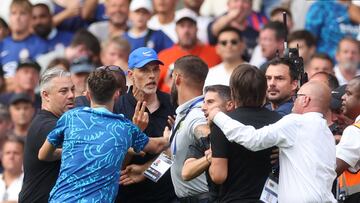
(142, 56)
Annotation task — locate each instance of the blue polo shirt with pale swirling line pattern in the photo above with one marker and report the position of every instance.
(94, 144)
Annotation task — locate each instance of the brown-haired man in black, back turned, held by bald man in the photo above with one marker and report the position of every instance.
(242, 173)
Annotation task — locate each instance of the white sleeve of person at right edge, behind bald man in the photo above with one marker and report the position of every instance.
(348, 149)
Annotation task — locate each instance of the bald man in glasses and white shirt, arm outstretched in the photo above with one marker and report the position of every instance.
(307, 170)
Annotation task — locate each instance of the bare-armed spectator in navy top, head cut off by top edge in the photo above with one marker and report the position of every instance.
(71, 15)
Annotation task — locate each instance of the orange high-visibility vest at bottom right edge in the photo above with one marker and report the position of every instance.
(349, 182)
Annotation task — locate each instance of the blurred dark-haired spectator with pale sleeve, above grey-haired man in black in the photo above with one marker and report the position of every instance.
(83, 44)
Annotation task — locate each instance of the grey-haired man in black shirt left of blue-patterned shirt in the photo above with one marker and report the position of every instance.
(57, 94)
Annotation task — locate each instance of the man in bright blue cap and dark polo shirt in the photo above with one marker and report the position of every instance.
(144, 73)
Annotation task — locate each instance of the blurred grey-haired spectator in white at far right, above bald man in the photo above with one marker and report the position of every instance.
(348, 58)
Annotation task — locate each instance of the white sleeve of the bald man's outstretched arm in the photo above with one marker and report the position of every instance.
(281, 134)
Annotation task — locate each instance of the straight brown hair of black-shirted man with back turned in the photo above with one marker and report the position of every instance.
(248, 86)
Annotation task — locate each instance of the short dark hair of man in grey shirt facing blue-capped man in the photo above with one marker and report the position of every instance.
(194, 69)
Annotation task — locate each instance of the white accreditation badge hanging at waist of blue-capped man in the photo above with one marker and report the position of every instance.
(159, 167)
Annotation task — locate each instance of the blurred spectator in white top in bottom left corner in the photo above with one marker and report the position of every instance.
(12, 177)
